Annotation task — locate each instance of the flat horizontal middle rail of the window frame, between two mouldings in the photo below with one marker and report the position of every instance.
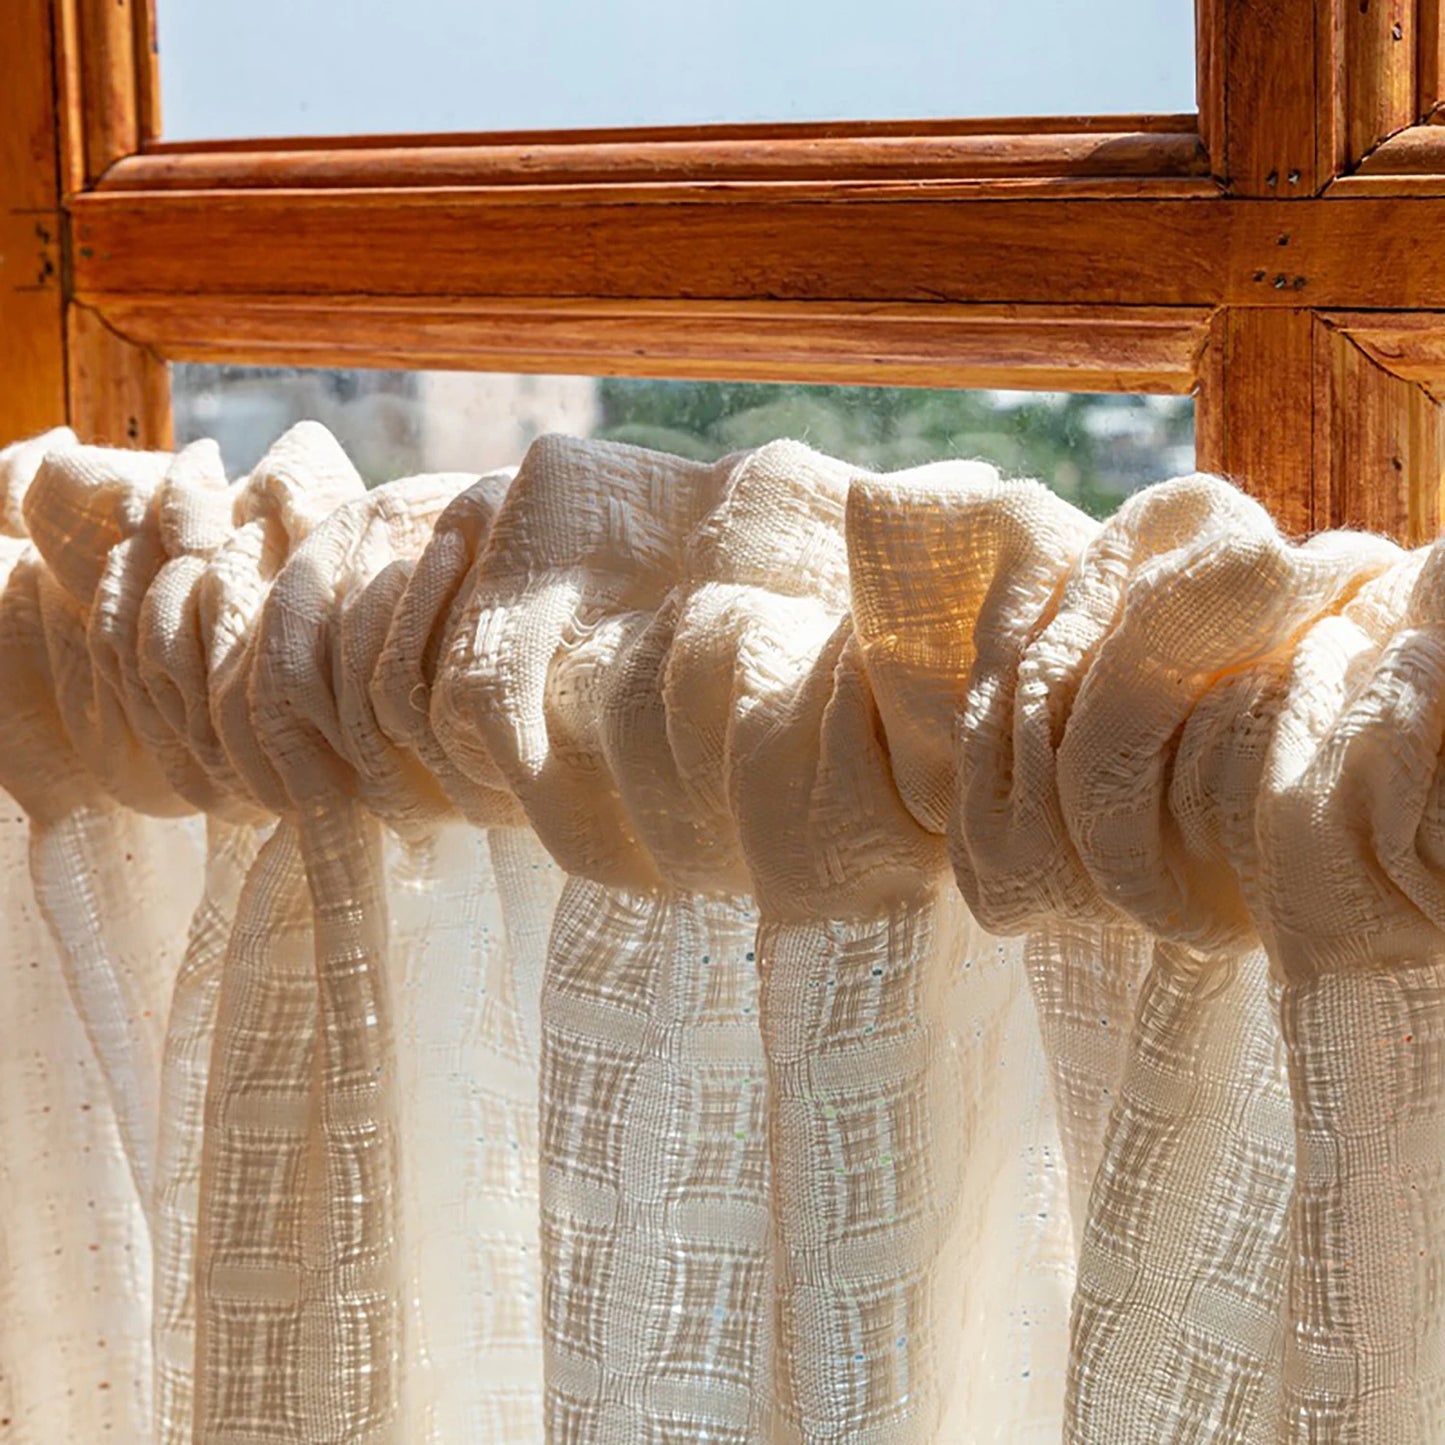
(452, 245)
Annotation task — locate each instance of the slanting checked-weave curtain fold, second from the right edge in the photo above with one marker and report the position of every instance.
(1177, 1311)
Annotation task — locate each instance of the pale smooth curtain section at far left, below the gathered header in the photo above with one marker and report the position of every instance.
(74, 1248)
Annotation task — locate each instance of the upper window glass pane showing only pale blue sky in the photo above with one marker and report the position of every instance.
(332, 67)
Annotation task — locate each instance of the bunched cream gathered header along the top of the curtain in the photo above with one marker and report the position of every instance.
(772, 676)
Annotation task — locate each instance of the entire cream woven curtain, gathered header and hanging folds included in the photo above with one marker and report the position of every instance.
(635, 952)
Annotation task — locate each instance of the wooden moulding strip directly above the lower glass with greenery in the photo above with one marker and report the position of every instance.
(1050, 348)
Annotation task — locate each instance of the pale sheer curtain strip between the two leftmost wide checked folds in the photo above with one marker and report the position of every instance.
(470, 917)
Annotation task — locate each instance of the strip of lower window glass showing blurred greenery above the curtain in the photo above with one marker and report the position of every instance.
(1093, 450)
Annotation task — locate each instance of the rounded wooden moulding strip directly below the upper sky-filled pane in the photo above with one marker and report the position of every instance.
(697, 161)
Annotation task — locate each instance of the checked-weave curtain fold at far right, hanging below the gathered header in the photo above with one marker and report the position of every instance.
(1365, 1352)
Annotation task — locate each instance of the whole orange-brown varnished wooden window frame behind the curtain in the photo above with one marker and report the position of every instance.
(1277, 255)
